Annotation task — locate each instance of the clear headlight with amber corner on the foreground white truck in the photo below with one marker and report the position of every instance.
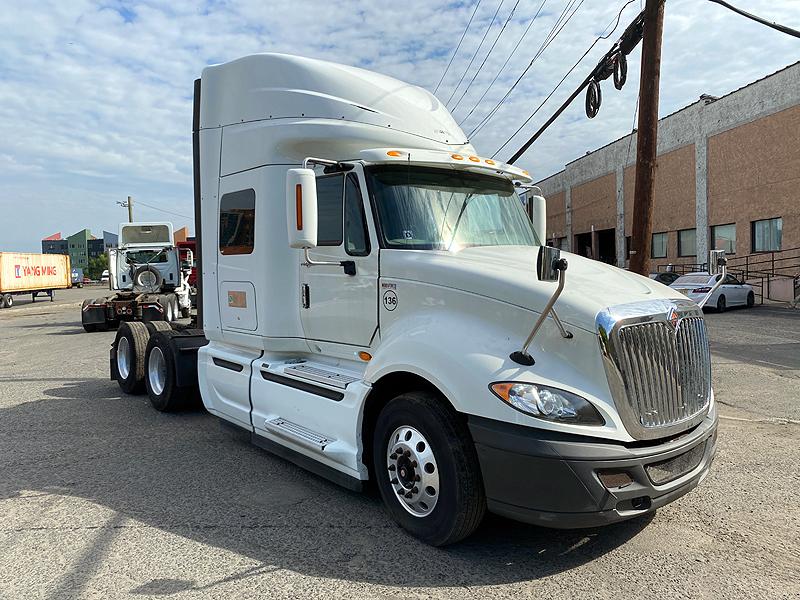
(548, 403)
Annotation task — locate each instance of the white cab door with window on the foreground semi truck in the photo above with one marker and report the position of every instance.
(337, 307)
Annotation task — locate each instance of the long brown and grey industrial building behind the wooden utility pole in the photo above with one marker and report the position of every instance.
(728, 177)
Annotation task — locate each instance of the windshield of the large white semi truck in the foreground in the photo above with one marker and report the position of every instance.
(422, 208)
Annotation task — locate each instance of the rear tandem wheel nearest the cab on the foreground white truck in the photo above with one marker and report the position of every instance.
(160, 377)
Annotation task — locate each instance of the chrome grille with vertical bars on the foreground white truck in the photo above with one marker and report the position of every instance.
(658, 364)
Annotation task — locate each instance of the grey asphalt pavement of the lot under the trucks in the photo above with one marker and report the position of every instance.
(103, 497)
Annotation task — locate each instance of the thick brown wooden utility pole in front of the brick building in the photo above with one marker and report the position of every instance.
(646, 138)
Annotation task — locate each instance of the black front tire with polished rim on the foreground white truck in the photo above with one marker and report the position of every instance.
(427, 469)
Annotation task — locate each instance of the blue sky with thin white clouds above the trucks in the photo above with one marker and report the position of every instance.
(95, 97)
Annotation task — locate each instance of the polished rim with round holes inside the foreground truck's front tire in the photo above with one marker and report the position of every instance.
(413, 472)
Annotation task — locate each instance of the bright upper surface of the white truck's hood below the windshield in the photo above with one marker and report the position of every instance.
(508, 274)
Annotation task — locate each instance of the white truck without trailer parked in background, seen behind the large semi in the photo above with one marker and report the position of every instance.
(147, 277)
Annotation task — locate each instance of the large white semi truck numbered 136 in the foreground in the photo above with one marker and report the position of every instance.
(376, 306)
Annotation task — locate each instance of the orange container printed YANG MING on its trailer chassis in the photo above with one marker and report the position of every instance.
(22, 273)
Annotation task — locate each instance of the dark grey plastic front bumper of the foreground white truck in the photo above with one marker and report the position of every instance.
(553, 479)
